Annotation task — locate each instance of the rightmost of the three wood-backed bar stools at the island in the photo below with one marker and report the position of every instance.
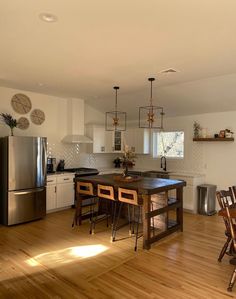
(131, 198)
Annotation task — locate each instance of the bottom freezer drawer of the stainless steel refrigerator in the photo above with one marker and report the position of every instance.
(25, 205)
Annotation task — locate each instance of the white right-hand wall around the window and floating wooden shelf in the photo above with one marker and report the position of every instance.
(217, 160)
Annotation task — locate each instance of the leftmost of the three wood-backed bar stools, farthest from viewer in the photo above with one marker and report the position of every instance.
(84, 193)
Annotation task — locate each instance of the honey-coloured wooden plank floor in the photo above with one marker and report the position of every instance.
(47, 259)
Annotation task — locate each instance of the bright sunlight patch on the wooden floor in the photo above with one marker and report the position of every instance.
(67, 255)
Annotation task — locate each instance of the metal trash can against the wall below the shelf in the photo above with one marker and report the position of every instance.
(206, 199)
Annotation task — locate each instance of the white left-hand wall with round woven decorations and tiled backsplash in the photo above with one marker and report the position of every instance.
(54, 128)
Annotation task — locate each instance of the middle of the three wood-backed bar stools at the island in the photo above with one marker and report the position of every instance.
(107, 193)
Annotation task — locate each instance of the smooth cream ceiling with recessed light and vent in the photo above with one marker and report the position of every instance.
(95, 45)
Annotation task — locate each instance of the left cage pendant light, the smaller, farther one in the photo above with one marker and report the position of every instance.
(115, 120)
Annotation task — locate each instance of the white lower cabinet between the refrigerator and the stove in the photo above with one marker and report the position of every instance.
(60, 192)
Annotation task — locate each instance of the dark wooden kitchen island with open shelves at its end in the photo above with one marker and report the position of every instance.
(147, 188)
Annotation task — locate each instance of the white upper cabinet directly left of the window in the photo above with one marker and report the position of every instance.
(138, 140)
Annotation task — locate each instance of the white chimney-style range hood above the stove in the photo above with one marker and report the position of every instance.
(75, 122)
